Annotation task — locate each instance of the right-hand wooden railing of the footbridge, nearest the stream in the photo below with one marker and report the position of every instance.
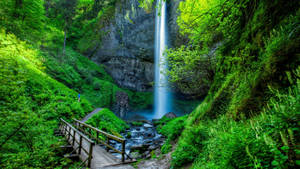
(95, 133)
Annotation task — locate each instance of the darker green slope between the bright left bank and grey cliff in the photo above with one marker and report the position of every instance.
(84, 76)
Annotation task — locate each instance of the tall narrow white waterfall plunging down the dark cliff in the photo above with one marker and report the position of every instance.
(162, 95)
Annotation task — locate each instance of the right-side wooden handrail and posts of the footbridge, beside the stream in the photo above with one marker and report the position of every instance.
(110, 136)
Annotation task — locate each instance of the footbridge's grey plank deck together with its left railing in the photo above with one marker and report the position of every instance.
(100, 158)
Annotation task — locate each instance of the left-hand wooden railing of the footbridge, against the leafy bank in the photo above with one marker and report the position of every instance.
(72, 135)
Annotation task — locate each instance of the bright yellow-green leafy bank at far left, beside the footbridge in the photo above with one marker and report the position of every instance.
(31, 104)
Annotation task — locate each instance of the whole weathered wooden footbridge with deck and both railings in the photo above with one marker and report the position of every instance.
(86, 142)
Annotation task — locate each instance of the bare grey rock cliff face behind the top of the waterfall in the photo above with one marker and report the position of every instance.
(127, 49)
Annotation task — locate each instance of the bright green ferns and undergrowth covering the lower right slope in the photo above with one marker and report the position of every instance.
(265, 141)
